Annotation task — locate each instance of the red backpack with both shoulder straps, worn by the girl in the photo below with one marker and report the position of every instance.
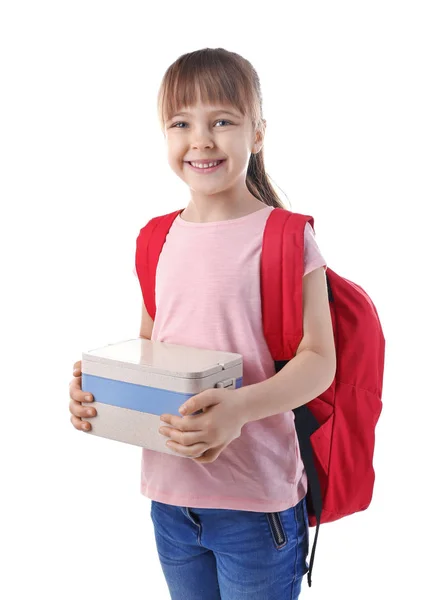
(336, 431)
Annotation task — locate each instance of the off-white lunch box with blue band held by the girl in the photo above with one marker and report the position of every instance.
(135, 381)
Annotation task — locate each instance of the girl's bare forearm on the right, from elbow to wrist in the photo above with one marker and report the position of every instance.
(302, 379)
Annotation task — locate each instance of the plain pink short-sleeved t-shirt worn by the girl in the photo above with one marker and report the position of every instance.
(208, 296)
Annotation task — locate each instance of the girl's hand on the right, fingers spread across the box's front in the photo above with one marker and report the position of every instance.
(204, 436)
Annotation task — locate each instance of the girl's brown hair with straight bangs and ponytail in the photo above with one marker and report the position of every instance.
(220, 77)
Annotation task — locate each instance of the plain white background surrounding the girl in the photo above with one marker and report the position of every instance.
(355, 98)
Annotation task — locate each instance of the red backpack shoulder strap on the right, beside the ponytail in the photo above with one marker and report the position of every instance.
(282, 268)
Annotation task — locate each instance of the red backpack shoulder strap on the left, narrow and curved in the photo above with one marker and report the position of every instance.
(148, 248)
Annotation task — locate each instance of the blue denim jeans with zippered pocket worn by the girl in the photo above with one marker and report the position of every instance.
(217, 554)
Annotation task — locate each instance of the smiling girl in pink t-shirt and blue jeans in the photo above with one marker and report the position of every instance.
(231, 522)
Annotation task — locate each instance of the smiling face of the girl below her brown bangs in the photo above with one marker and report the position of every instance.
(205, 133)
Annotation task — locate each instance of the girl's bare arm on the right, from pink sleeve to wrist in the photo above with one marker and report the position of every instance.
(311, 371)
